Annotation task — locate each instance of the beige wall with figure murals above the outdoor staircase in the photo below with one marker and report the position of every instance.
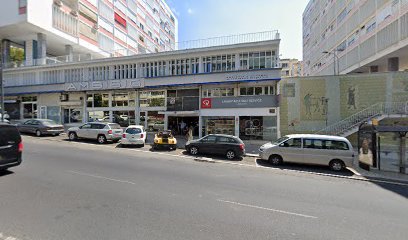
(303, 100)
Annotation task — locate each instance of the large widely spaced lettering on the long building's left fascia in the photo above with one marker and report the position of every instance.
(103, 85)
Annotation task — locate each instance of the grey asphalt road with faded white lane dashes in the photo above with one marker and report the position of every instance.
(82, 191)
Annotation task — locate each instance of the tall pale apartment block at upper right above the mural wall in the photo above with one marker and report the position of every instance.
(355, 36)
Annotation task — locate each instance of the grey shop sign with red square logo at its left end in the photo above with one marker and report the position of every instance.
(241, 102)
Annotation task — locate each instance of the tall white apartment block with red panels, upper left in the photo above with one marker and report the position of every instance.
(74, 30)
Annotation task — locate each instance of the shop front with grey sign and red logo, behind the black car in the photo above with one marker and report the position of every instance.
(252, 118)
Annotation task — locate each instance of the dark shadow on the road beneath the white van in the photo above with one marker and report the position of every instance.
(305, 168)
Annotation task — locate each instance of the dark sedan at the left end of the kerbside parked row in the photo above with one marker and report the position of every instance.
(41, 127)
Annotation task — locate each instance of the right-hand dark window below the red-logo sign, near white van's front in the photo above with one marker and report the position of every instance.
(258, 128)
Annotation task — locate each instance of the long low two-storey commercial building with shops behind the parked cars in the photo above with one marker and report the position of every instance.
(230, 89)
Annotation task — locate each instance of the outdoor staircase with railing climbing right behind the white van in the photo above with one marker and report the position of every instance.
(378, 111)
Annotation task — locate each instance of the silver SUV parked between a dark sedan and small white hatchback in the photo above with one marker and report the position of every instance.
(102, 132)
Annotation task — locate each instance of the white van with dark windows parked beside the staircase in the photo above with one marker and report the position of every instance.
(333, 151)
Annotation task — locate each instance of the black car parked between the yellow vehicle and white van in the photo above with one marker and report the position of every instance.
(229, 146)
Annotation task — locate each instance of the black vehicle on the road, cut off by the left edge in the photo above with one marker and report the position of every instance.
(11, 147)
